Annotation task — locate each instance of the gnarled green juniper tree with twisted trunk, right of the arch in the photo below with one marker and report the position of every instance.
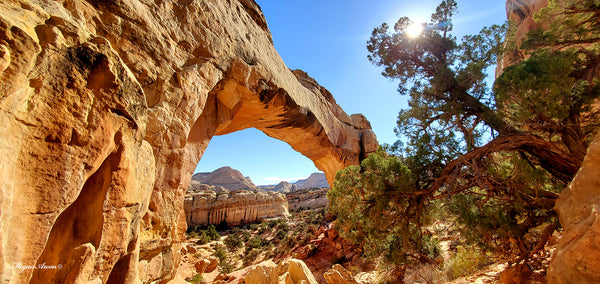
(496, 158)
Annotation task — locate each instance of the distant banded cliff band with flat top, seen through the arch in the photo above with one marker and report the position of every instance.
(203, 208)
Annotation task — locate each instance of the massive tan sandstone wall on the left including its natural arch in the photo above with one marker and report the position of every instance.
(107, 107)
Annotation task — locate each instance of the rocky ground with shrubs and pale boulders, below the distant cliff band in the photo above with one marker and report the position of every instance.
(309, 242)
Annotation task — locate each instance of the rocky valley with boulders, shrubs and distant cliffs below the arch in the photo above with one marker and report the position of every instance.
(296, 227)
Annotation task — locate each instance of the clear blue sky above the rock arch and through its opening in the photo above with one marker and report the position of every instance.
(327, 39)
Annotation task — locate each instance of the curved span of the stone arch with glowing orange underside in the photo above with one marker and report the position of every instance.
(246, 100)
